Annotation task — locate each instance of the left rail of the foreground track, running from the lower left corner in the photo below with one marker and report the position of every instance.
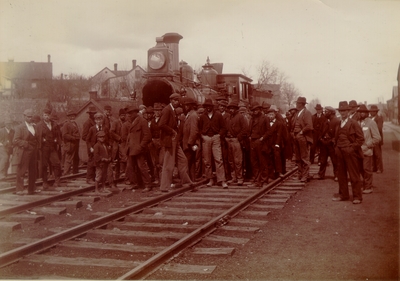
(48, 242)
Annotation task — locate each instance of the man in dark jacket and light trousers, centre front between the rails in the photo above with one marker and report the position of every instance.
(212, 128)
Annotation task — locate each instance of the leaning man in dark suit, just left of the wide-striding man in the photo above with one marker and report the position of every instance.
(137, 144)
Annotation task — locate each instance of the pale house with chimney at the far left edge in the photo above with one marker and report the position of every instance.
(22, 79)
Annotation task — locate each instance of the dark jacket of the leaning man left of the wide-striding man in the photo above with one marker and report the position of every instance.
(139, 136)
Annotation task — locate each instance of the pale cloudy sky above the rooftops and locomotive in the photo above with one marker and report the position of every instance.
(330, 50)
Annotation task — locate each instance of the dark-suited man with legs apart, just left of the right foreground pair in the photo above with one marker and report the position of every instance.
(327, 148)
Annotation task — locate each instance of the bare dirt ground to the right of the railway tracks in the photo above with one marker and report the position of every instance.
(315, 238)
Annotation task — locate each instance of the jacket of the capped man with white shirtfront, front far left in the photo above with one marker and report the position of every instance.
(22, 145)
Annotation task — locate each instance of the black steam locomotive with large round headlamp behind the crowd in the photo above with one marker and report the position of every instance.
(166, 75)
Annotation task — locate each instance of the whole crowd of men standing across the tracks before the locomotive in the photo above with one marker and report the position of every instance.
(183, 142)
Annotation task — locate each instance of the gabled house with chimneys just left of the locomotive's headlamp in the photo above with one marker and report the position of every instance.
(118, 84)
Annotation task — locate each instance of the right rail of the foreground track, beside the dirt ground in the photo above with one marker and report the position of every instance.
(159, 259)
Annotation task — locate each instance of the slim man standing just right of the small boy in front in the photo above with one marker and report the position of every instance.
(118, 158)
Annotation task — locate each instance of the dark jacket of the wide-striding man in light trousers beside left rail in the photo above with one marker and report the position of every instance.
(168, 126)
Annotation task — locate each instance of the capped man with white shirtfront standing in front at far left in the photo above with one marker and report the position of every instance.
(25, 144)
